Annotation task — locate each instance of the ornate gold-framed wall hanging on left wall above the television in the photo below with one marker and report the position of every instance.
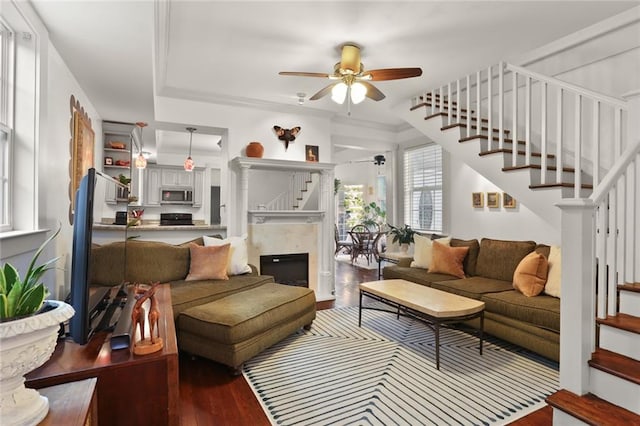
(81, 148)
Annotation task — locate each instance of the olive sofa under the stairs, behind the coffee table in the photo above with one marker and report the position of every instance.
(530, 322)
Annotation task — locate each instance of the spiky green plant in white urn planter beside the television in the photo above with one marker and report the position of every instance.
(28, 332)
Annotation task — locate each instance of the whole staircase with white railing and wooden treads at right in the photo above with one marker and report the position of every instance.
(564, 152)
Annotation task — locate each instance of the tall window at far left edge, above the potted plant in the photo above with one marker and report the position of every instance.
(6, 122)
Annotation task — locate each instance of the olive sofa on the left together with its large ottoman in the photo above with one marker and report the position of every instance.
(227, 321)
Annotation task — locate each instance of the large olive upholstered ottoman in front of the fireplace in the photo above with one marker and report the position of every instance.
(235, 328)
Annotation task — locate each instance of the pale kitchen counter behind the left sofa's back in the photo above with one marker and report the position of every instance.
(104, 233)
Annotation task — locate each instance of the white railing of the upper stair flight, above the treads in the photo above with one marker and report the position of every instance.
(564, 124)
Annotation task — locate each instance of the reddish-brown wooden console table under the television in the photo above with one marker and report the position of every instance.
(134, 390)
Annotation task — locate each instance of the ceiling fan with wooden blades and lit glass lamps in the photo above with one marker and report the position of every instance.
(353, 80)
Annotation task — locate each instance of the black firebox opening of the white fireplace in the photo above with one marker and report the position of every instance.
(289, 269)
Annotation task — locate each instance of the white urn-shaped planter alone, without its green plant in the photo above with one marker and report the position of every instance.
(25, 344)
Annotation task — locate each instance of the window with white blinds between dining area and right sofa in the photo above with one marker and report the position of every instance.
(423, 188)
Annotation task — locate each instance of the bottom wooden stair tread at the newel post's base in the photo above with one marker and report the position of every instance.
(592, 410)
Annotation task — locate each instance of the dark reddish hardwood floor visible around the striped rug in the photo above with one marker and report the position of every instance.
(209, 395)
